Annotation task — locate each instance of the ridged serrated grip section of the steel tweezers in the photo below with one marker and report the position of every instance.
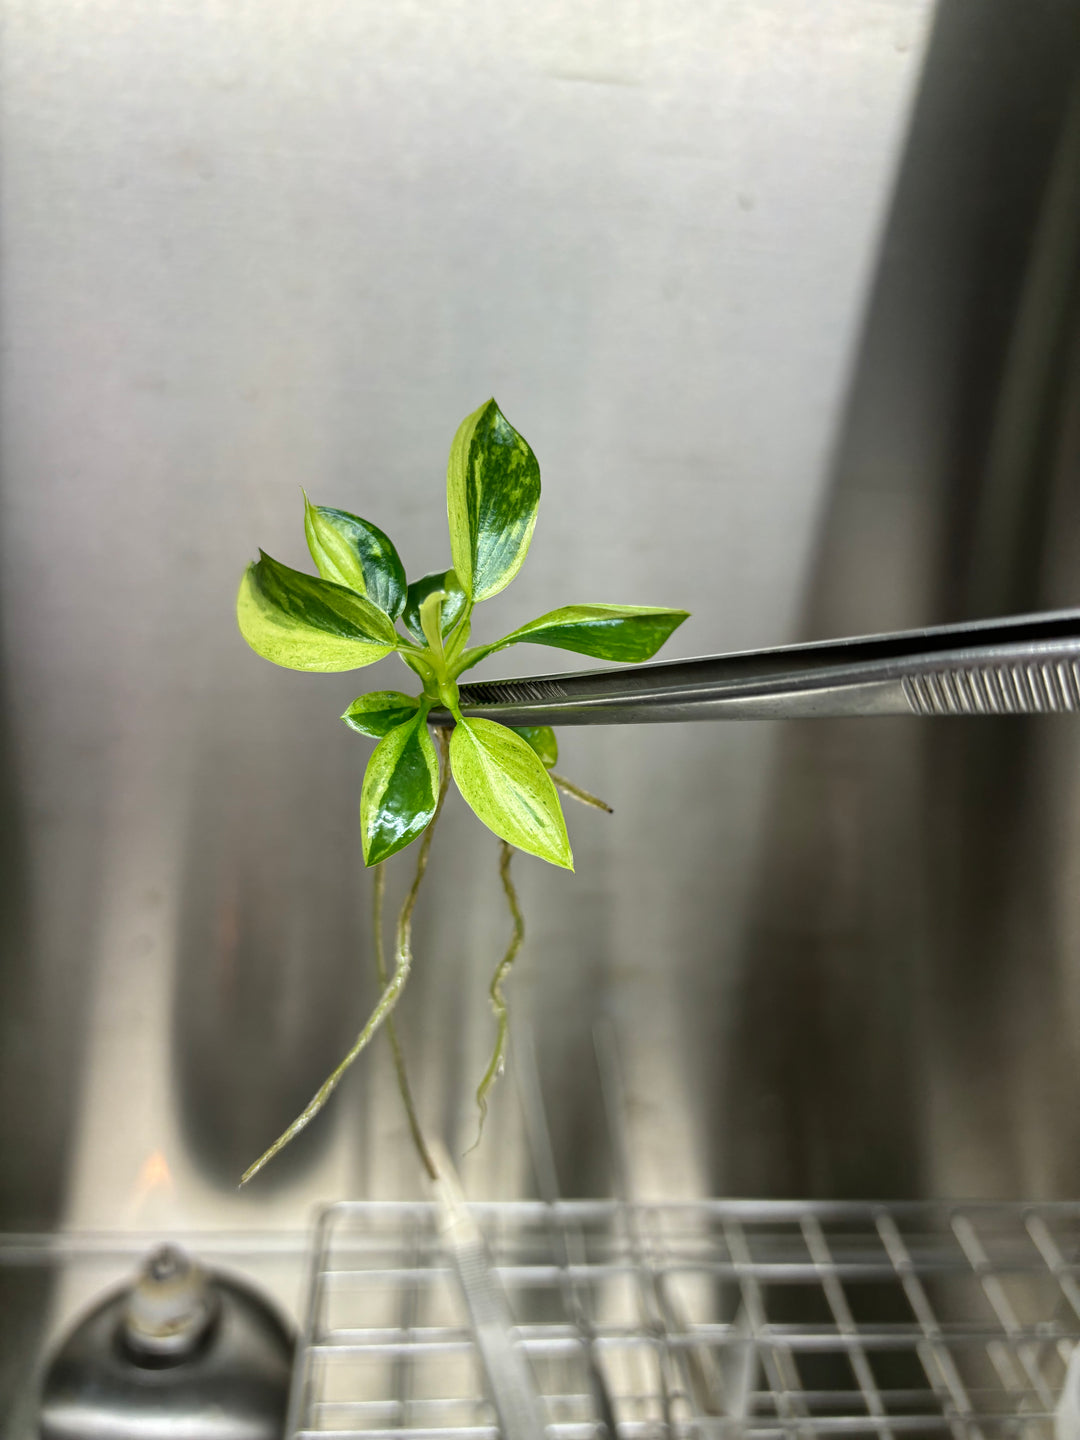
(997, 690)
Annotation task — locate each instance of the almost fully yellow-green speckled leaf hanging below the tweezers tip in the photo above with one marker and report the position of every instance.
(510, 791)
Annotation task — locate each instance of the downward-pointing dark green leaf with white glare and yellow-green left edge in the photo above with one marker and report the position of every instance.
(401, 790)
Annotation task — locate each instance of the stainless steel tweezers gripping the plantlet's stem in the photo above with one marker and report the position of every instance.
(1025, 666)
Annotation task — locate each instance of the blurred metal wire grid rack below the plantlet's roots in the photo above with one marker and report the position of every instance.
(721, 1318)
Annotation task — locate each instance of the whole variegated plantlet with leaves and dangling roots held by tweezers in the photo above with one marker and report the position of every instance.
(349, 617)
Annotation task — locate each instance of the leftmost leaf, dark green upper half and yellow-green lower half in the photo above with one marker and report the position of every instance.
(303, 623)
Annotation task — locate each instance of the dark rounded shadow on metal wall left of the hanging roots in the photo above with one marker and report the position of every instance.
(270, 976)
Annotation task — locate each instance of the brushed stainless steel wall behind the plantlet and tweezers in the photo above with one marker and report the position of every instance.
(783, 294)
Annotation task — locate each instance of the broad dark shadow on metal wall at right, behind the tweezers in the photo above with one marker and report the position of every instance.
(901, 1023)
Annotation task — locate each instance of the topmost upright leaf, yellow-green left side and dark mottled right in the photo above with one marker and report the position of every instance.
(493, 492)
